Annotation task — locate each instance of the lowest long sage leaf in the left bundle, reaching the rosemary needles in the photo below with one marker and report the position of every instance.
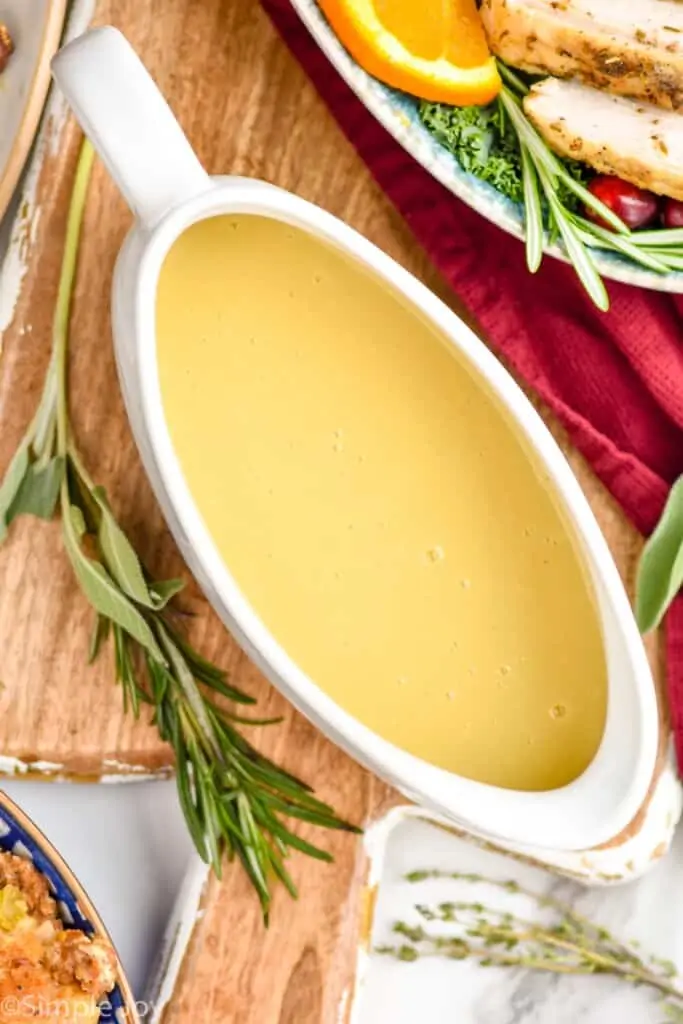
(103, 592)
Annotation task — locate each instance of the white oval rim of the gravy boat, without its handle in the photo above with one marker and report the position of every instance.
(536, 819)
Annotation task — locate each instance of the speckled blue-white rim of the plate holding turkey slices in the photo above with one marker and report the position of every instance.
(399, 114)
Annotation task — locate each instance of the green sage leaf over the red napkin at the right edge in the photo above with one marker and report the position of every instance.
(661, 569)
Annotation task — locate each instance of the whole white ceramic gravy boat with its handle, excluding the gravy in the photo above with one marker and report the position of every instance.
(150, 158)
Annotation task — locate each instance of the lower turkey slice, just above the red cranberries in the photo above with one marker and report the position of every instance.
(636, 142)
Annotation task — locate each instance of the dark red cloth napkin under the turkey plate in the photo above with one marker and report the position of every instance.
(615, 380)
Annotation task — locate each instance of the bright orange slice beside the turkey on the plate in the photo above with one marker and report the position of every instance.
(436, 50)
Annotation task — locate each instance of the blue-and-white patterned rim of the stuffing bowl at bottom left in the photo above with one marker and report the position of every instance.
(20, 836)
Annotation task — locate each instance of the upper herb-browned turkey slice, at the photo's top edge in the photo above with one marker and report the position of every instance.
(629, 48)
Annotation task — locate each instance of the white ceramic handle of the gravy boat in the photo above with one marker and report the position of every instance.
(130, 123)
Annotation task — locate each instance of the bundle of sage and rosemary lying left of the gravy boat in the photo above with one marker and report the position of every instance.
(235, 800)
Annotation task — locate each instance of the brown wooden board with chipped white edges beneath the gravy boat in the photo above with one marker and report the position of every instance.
(248, 109)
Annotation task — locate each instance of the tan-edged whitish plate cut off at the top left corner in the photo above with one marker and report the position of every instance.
(35, 27)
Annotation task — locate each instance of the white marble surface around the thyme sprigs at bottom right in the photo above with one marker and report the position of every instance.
(441, 992)
